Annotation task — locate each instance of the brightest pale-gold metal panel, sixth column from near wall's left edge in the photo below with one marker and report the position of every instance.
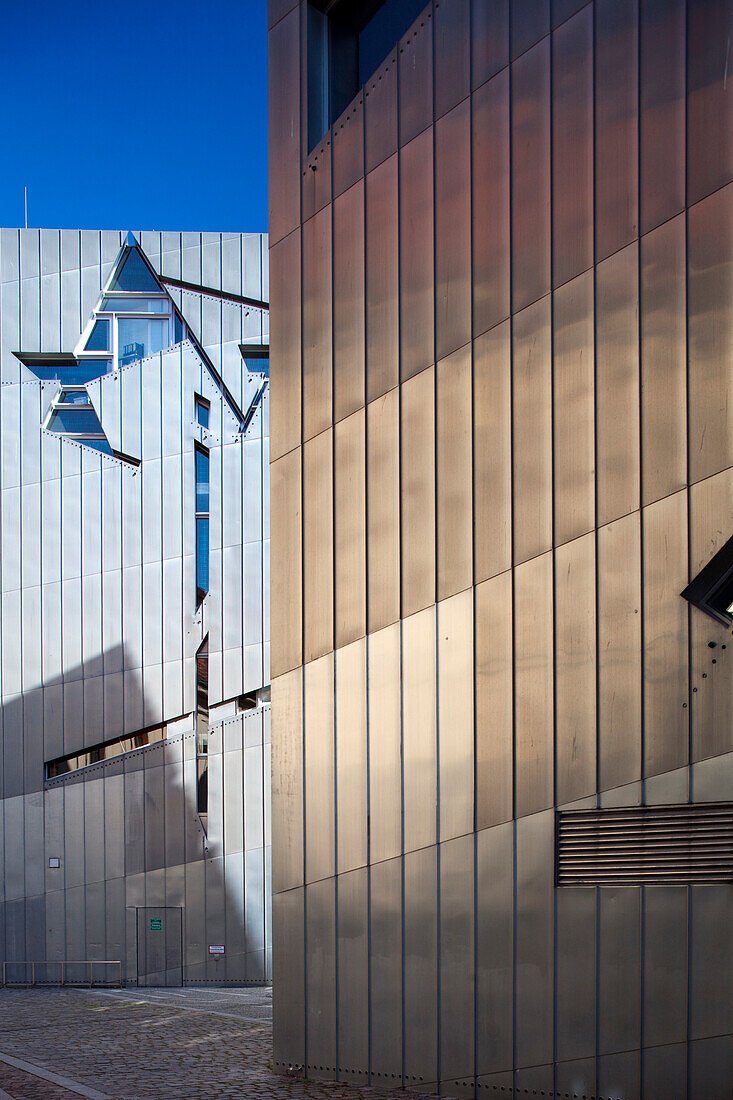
(456, 744)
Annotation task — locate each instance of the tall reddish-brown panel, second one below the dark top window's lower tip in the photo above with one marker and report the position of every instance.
(318, 324)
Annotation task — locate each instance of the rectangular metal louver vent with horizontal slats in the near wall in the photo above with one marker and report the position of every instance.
(646, 846)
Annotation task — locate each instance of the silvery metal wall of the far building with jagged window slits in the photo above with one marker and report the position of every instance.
(100, 626)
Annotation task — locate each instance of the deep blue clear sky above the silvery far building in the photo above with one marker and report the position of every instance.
(140, 115)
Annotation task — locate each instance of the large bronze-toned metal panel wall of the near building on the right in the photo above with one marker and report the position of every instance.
(501, 448)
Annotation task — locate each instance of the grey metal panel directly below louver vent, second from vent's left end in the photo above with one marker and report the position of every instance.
(619, 976)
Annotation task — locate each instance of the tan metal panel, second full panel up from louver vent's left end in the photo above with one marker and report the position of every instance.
(574, 409)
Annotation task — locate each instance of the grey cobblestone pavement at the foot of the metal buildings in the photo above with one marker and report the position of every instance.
(185, 1044)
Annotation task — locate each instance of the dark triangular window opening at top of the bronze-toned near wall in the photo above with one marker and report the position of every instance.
(347, 42)
